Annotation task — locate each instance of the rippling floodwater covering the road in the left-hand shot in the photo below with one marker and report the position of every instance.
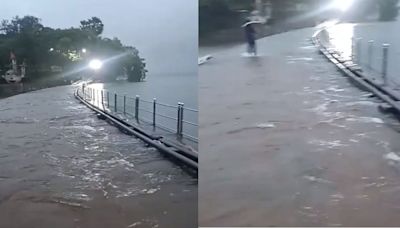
(60, 166)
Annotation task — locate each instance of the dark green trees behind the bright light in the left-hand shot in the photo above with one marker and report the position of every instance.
(41, 47)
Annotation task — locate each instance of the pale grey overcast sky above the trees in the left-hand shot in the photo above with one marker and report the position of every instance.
(164, 31)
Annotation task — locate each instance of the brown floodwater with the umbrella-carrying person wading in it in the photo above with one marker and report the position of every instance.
(287, 140)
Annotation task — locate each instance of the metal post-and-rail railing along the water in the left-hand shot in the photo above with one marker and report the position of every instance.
(176, 119)
